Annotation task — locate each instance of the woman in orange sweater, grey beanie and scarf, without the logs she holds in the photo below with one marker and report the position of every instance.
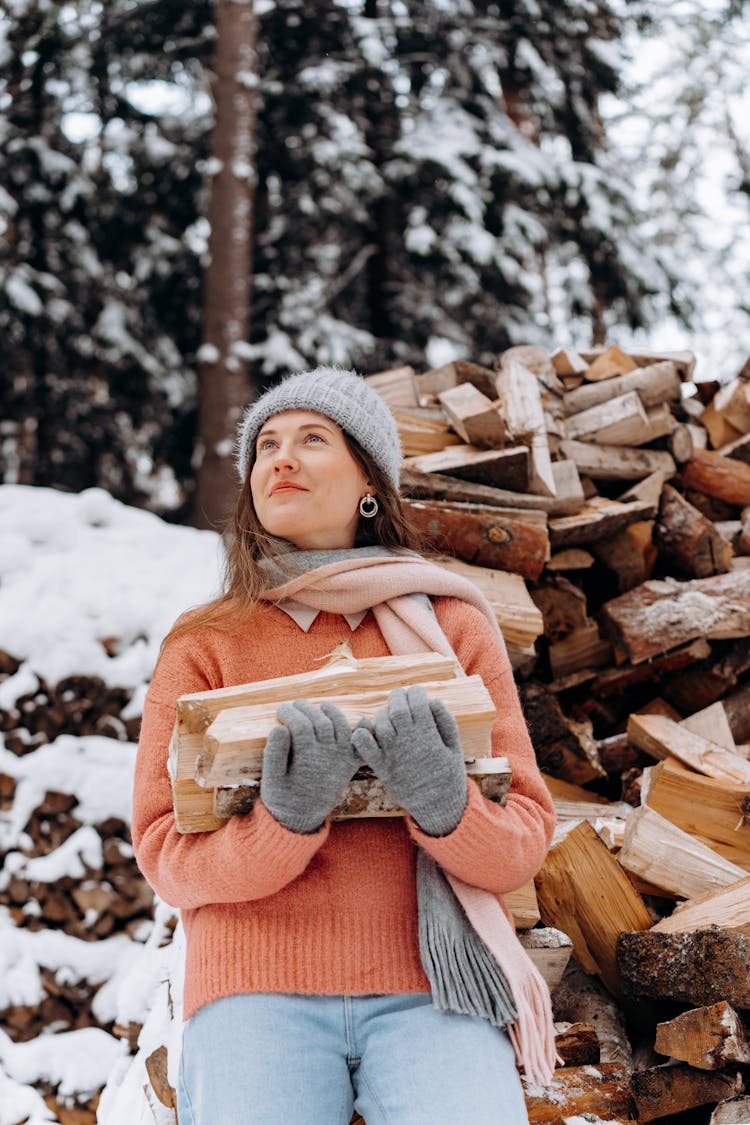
(367, 964)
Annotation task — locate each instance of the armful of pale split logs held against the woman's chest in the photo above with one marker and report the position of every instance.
(216, 754)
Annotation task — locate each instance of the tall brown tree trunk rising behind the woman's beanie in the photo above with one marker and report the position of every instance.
(225, 386)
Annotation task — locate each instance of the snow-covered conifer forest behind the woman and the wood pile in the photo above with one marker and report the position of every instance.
(197, 199)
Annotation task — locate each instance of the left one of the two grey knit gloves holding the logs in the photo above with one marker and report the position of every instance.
(306, 764)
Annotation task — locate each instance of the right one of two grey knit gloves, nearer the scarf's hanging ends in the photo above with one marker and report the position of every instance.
(413, 746)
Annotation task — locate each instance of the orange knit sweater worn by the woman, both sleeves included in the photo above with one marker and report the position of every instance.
(268, 911)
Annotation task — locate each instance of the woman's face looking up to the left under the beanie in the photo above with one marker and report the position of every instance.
(305, 483)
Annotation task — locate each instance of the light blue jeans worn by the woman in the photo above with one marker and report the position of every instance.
(302, 1060)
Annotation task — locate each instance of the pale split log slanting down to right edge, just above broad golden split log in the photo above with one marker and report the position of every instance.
(663, 737)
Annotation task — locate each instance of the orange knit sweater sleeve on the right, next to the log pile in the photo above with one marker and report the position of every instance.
(498, 849)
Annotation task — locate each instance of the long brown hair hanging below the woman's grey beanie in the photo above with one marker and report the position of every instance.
(248, 544)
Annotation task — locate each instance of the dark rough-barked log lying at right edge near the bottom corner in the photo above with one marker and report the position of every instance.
(699, 968)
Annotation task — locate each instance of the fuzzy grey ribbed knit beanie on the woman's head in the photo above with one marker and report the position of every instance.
(345, 398)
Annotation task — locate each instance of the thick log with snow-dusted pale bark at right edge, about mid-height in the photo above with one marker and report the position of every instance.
(662, 615)
